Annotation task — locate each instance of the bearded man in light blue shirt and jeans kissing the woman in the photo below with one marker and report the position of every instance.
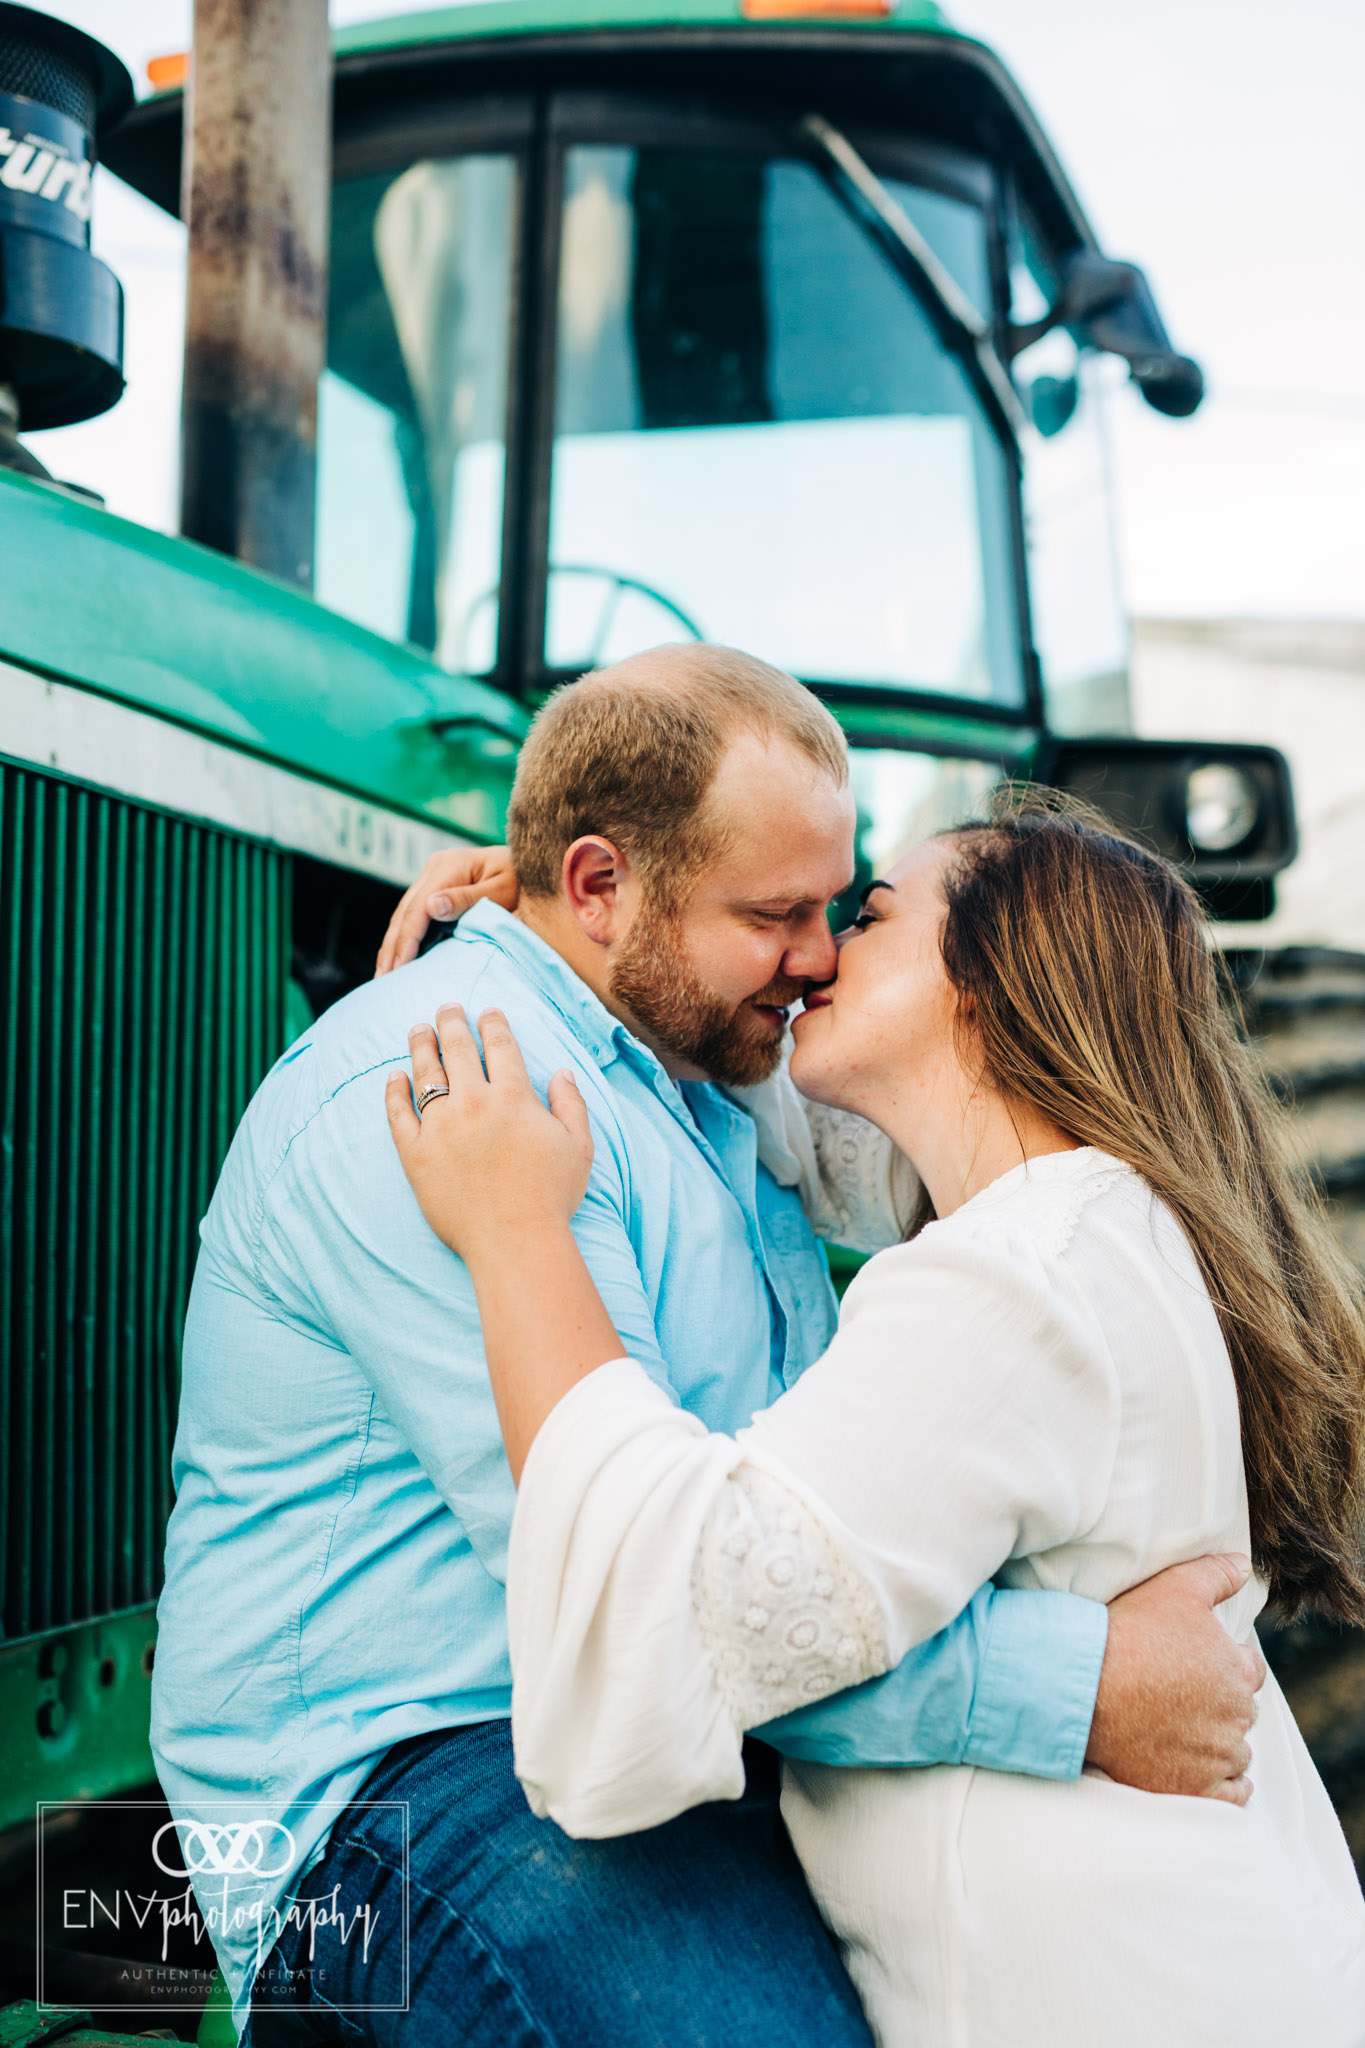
(333, 1644)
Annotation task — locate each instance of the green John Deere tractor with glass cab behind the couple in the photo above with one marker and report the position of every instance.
(744, 321)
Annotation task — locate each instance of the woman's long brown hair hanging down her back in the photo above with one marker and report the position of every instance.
(1092, 990)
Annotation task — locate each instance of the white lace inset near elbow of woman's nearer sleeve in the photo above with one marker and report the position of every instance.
(785, 1619)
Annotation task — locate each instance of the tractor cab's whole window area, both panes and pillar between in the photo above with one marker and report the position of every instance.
(730, 419)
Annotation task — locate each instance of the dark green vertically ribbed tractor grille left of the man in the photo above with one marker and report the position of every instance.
(142, 970)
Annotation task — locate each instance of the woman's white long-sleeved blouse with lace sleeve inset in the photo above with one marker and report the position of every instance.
(1034, 1390)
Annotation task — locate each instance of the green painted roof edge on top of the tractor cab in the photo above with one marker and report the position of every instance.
(531, 17)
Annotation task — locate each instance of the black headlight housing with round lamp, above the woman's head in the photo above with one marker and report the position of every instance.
(1225, 814)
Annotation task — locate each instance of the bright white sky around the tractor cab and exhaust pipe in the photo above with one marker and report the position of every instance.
(1215, 142)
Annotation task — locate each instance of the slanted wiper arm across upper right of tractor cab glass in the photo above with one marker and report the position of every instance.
(951, 308)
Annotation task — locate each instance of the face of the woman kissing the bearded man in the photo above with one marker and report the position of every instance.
(885, 1027)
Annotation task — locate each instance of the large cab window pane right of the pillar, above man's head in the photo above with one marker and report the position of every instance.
(760, 439)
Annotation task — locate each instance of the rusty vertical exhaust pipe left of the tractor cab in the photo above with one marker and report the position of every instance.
(257, 200)
